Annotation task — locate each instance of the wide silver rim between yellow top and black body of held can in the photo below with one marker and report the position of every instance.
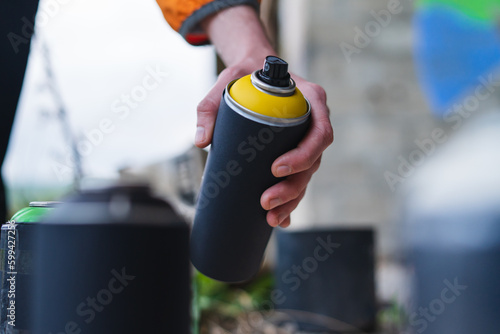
(263, 119)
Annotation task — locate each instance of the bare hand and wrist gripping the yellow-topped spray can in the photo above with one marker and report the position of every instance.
(241, 42)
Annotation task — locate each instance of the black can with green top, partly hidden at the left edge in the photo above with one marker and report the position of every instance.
(16, 246)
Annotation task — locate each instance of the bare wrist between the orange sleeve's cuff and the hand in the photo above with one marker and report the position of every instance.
(238, 36)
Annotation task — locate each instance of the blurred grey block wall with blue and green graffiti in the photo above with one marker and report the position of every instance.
(371, 60)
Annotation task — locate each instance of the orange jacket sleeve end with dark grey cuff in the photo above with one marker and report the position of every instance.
(184, 16)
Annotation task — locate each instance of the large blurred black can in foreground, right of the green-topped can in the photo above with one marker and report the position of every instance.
(112, 261)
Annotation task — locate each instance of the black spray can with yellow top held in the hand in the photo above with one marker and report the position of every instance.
(261, 116)
